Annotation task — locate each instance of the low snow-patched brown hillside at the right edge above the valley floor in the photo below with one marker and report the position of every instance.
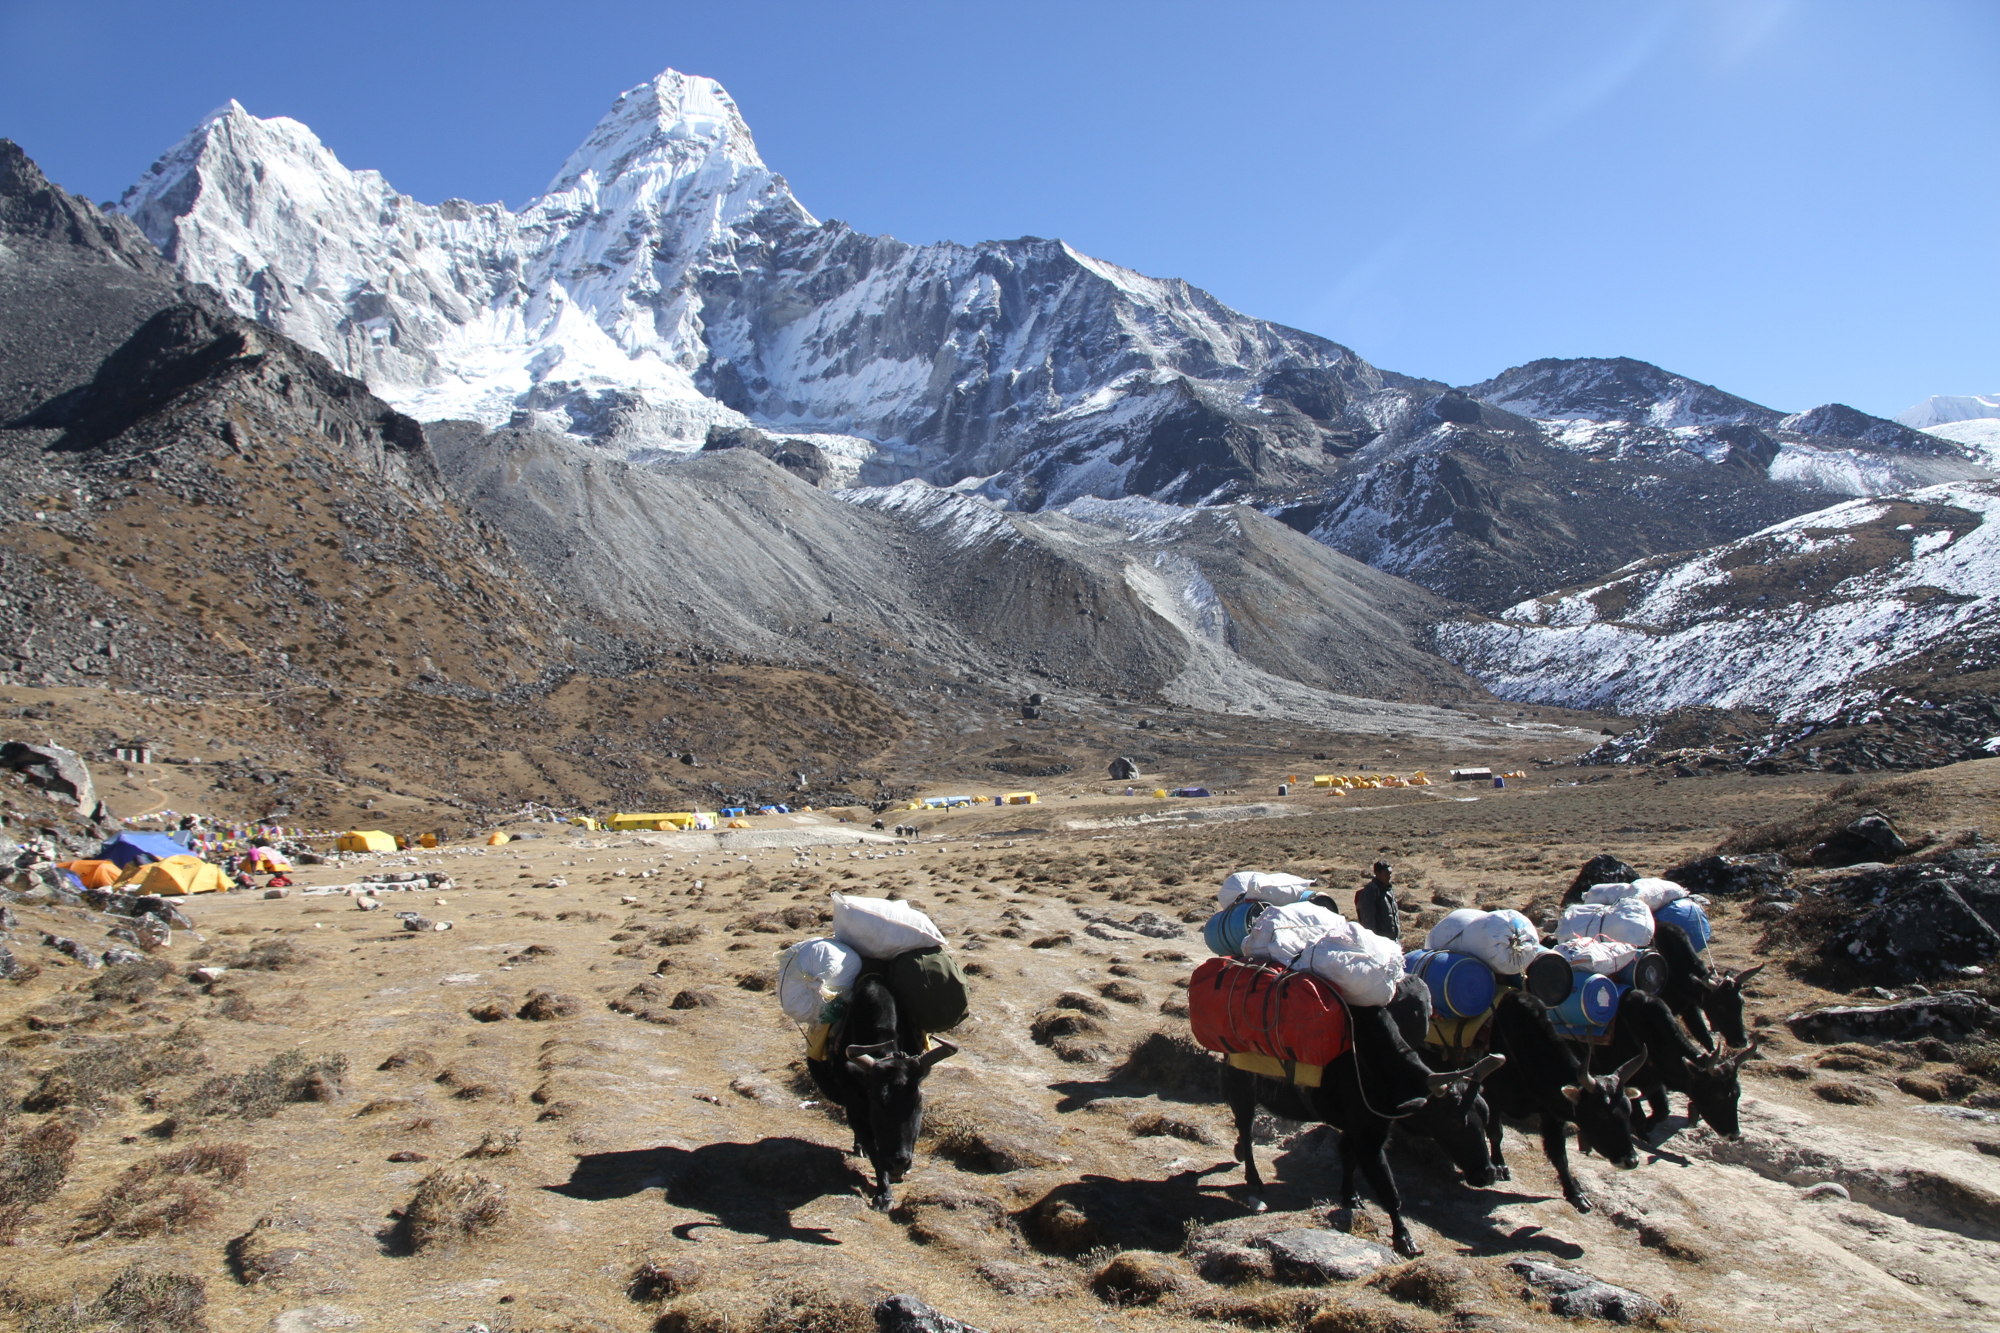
(1787, 619)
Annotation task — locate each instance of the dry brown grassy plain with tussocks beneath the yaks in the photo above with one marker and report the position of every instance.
(593, 1068)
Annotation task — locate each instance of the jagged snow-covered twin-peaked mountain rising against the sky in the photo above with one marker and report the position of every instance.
(669, 281)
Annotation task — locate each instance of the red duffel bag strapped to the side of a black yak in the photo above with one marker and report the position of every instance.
(1263, 1010)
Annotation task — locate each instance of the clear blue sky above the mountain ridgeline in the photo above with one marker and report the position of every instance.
(1793, 201)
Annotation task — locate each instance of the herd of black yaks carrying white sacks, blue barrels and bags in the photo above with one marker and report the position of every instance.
(1299, 1010)
